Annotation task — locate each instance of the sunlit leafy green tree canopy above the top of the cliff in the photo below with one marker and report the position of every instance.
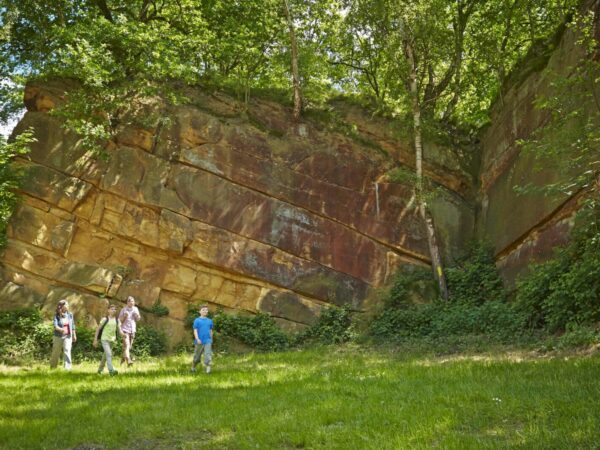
(117, 49)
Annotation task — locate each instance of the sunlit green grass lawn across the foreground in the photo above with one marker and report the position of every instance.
(344, 398)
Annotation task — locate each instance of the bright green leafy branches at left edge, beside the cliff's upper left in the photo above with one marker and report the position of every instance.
(11, 177)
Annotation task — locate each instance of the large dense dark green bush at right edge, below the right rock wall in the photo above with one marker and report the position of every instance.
(566, 289)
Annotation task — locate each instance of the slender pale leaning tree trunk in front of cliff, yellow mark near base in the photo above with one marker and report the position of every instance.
(434, 250)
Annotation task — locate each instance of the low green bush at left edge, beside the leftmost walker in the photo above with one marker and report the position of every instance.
(24, 336)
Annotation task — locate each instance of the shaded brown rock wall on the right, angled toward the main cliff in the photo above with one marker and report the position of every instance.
(524, 228)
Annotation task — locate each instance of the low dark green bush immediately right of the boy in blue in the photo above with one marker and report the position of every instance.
(259, 331)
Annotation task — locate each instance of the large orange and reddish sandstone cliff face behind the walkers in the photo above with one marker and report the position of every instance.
(207, 206)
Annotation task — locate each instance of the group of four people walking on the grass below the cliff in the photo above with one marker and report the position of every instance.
(111, 327)
